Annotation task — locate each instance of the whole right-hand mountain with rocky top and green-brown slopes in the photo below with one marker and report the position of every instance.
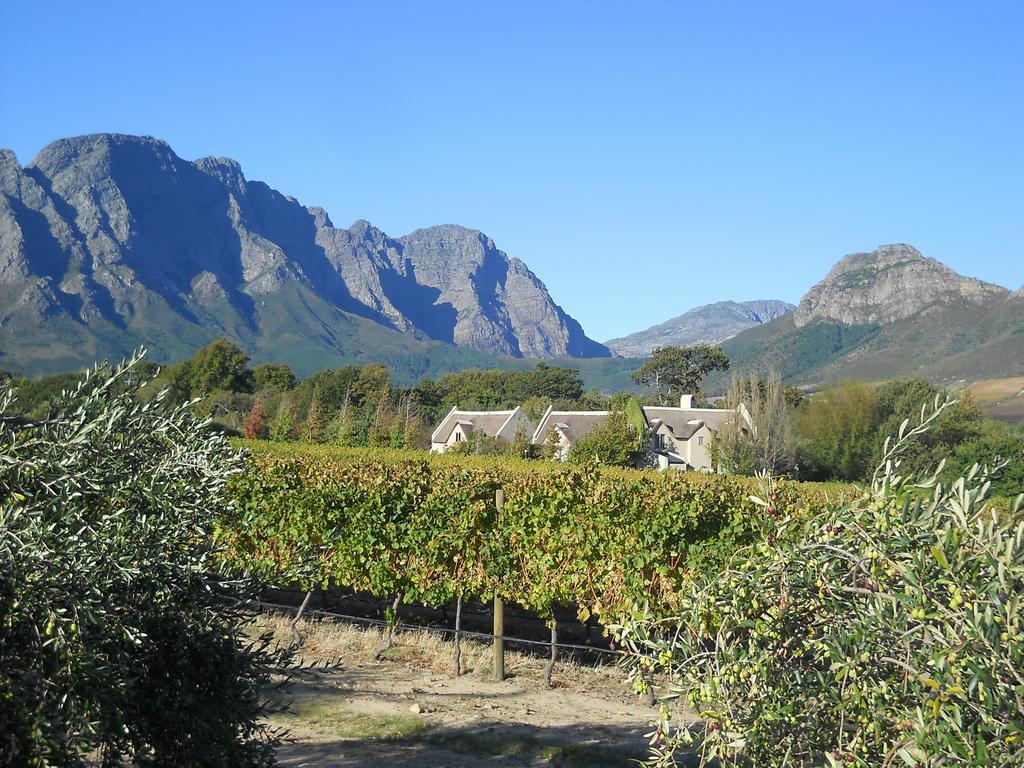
(885, 315)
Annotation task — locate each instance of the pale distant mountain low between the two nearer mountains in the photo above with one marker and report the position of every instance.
(711, 324)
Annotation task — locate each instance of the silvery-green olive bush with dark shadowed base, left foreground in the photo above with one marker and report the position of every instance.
(119, 644)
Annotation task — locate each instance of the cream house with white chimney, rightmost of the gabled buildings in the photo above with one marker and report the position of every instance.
(680, 438)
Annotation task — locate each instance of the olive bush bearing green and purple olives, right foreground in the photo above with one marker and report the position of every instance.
(885, 632)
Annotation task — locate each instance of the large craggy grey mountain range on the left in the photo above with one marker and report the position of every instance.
(109, 241)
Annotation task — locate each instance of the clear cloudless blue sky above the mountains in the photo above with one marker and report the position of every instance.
(643, 159)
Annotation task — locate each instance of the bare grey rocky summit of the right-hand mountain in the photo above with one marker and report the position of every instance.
(890, 284)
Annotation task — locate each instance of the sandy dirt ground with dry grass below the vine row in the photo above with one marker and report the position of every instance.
(410, 710)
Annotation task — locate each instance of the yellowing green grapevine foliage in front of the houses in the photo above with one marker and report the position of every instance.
(428, 529)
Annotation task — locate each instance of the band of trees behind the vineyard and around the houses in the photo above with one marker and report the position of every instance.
(836, 434)
